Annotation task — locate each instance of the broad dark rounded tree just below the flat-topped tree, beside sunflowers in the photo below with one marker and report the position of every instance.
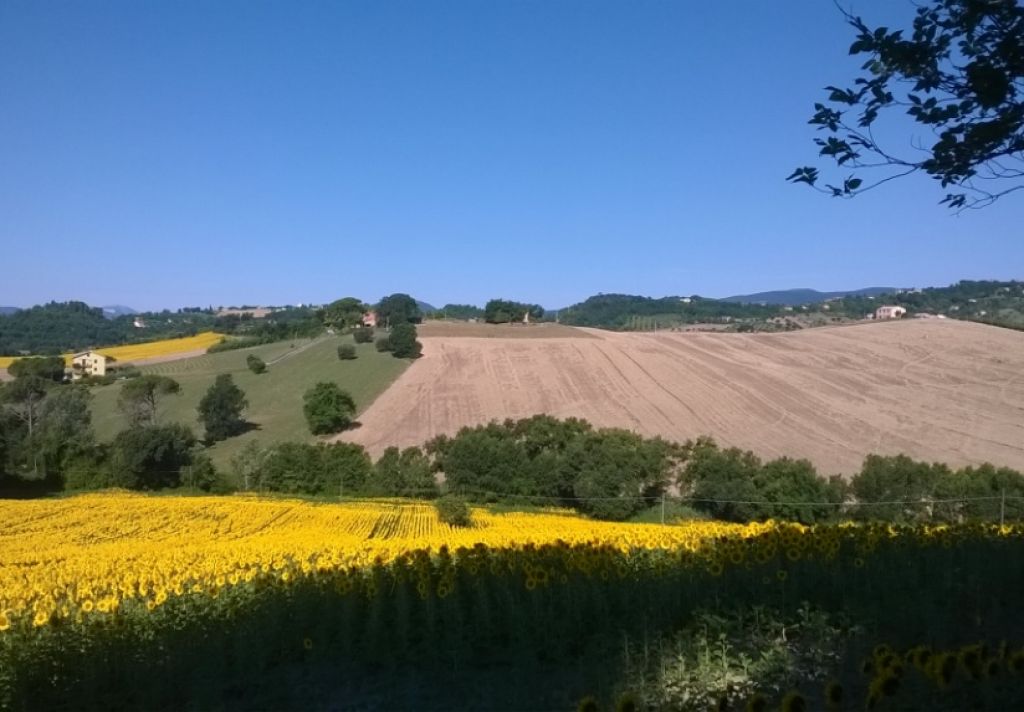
(151, 457)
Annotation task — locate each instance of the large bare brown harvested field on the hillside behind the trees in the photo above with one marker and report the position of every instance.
(950, 392)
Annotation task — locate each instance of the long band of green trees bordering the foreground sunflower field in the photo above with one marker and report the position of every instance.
(608, 474)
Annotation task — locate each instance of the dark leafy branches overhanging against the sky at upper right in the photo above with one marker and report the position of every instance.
(961, 76)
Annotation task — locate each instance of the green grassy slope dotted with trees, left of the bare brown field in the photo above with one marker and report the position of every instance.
(275, 398)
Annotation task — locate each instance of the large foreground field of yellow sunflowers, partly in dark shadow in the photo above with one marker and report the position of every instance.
(121, 601)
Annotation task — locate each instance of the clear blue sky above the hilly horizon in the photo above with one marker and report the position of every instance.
(168, 154)
